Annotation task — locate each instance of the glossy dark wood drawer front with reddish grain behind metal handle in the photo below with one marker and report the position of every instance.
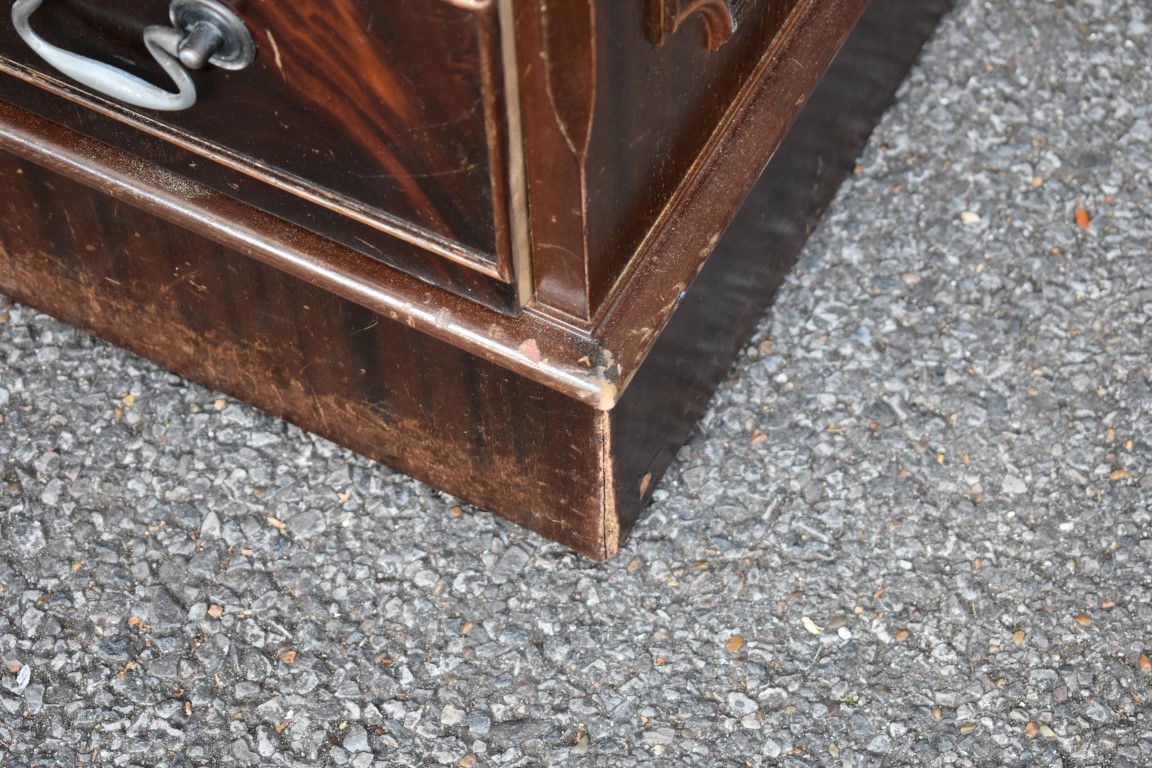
(380, 124)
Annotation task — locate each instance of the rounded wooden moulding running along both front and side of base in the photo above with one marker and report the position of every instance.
(594, 367)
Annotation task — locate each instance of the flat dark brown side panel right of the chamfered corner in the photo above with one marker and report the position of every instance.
(660, 109)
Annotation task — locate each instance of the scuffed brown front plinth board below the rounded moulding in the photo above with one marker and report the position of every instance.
(390, 392)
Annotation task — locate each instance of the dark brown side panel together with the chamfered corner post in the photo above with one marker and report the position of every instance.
(615, 124)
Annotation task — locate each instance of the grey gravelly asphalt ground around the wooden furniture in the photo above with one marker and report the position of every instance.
(914, 529)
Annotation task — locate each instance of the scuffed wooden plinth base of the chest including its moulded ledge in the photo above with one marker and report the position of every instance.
(562, 429)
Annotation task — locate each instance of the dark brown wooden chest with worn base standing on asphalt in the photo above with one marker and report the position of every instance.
(509, 247)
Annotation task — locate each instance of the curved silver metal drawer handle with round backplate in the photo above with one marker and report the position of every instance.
(202, 32)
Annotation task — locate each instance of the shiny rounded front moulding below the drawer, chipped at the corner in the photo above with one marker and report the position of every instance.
(534, 347)
